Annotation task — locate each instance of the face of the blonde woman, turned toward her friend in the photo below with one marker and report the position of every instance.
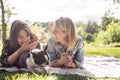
(59, 35)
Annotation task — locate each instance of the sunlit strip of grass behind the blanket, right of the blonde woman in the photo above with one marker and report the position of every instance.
(104, 51)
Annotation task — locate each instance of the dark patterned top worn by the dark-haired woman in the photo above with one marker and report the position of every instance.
(6, 52)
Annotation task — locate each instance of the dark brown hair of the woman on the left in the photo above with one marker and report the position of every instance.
(16, 26)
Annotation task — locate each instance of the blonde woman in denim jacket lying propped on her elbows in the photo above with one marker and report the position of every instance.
(65, 49)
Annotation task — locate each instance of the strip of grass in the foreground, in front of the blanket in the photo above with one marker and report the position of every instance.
(39, 76)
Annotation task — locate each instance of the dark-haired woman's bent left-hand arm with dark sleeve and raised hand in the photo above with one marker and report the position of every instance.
(8, 58)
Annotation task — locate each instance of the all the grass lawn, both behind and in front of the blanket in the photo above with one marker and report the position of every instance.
(89, 51)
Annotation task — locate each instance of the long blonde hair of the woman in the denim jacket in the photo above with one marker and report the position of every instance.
(66, 25)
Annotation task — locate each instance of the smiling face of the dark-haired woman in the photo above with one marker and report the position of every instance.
(23, 37)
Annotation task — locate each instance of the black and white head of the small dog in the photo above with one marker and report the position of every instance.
(39, 56)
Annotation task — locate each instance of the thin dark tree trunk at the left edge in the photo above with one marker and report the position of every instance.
(3, 22)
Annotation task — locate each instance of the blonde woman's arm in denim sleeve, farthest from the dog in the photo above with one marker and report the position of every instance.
(77, 58)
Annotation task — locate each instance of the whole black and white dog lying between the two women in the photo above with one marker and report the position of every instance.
(35, 58)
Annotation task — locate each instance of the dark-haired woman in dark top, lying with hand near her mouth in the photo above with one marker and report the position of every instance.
(21, 39)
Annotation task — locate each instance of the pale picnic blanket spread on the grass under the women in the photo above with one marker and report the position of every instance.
(96, 66)
